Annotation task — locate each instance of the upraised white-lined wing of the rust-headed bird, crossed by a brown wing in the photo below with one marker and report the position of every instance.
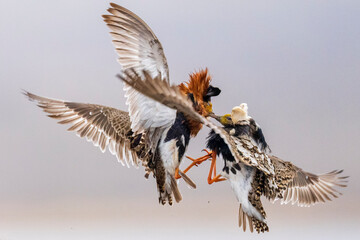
(139, 49)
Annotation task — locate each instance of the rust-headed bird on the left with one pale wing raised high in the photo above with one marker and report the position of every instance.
(149, 133)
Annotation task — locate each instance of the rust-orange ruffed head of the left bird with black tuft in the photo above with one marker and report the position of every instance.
(199, 90)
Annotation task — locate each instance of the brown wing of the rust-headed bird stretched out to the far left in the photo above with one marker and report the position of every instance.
(104, 126)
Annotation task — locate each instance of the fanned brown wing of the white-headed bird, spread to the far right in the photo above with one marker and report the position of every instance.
(306, 189)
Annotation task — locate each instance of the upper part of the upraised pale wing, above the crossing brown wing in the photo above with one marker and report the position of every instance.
(135, 43)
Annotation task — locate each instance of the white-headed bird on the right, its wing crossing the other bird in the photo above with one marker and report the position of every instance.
(252, 173)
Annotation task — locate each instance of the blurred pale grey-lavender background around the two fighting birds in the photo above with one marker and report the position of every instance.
(296, 64)
